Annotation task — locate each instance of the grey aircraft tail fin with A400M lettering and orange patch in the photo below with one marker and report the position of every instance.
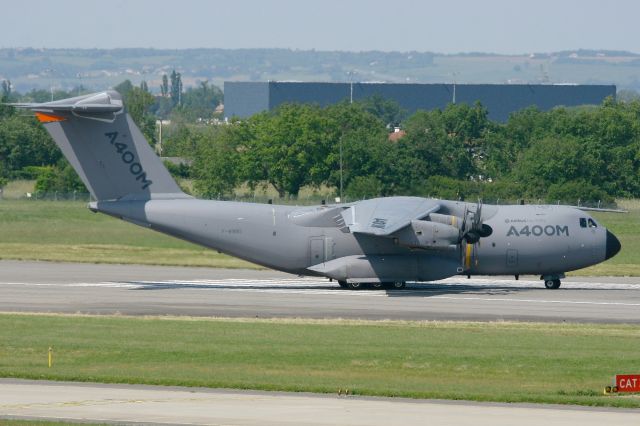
(106, 148)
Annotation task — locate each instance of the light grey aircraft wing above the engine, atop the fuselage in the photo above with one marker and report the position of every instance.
(384, 216)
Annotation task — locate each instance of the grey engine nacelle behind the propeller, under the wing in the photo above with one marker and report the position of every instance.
(427, 234)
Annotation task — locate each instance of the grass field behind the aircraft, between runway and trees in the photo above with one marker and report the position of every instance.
(68, 231)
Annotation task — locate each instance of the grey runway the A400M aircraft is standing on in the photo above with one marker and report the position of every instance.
(152, 290)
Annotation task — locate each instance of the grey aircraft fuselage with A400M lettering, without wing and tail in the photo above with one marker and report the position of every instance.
(530, 239)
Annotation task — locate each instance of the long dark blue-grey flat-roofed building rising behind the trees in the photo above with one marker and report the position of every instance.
(243, 99)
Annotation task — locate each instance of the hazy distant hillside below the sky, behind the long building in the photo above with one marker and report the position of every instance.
(99, 69)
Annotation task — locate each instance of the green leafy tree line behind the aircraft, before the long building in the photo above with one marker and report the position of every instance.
(589, 153)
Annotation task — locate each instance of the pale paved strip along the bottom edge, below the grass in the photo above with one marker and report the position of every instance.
(172, 405)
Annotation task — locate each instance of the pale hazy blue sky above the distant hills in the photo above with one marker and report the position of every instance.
(453, 26)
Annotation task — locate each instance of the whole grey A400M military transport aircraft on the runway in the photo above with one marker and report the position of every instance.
(378, 242)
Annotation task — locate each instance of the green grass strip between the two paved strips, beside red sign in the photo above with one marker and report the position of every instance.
(511, 362)
